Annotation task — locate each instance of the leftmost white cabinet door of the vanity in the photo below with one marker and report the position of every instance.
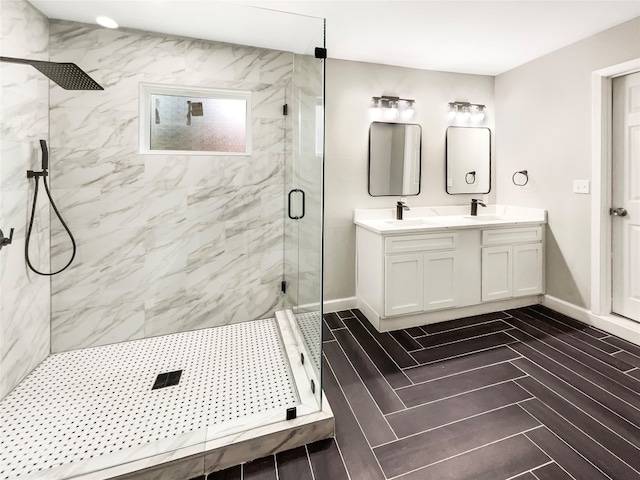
(403, 284)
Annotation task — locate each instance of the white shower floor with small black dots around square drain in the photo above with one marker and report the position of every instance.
(86, 403)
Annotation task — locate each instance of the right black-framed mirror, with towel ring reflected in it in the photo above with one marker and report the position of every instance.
(468, 160)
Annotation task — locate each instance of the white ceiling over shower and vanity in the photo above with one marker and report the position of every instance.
(479, 37)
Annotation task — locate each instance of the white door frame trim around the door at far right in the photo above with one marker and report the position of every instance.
(601, 175)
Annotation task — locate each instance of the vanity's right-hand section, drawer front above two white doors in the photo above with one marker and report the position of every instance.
(512, 263)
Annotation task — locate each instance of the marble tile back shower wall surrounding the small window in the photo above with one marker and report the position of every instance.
(165, 243)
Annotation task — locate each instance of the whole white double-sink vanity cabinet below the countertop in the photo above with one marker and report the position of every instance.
(406, 279)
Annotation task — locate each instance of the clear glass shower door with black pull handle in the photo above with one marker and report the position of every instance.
(304, 215)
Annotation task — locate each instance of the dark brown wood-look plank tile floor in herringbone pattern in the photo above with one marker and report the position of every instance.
(526, 394)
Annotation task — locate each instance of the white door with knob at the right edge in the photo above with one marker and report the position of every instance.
(625, 235)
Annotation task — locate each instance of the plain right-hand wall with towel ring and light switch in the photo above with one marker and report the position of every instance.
(543, 122)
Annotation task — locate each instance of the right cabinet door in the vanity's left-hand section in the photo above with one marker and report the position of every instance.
(440, 280)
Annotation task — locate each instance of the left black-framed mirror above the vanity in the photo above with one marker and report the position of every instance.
(395, 151)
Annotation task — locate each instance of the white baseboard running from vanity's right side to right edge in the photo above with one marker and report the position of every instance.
(619, 326)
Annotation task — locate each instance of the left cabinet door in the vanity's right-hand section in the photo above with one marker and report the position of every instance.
(497, 273)
